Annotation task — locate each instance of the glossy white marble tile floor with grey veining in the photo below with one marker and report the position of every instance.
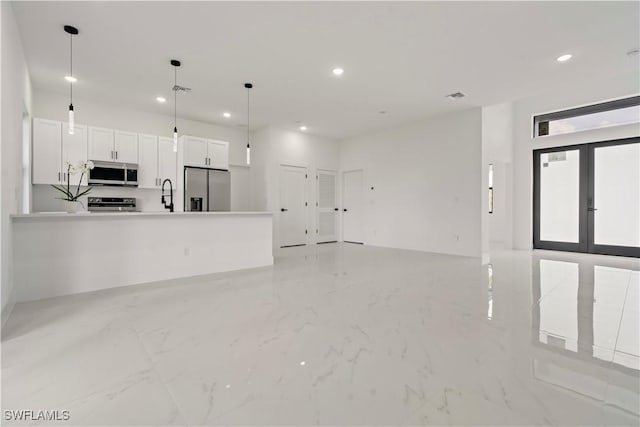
(341, 334)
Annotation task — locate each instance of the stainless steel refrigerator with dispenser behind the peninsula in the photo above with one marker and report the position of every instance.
(206, 190)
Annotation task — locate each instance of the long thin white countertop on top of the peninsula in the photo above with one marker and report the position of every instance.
(84, 215)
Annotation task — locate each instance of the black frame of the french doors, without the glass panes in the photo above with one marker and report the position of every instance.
(585, 201)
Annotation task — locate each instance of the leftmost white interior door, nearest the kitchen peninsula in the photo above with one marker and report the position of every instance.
(293, 230)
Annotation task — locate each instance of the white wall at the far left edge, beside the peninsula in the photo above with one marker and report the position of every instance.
(15, 87)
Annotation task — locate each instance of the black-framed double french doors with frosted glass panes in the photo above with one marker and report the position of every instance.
(587, 198)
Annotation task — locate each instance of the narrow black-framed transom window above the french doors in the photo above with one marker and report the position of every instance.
(613, 113)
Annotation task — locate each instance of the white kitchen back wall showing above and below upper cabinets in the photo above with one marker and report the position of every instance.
(53, 106)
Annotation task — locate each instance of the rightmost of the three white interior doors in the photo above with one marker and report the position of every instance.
(353, 206)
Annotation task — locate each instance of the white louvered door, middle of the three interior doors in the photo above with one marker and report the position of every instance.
(327, 209)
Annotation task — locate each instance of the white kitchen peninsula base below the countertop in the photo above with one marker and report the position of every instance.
(58, 254)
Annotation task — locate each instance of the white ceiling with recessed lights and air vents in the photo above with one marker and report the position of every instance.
(401, 57)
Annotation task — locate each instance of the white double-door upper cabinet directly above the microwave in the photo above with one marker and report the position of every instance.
(113, 146)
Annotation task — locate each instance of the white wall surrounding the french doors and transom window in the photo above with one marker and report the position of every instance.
(574, 94)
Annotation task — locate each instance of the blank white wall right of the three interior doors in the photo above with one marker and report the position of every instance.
(426, 179)
